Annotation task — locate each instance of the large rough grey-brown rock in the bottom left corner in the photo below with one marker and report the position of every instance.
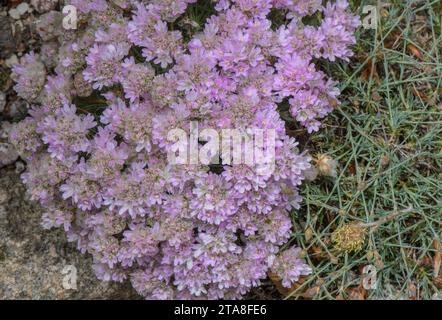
(37, 263)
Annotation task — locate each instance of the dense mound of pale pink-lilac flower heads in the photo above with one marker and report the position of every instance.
(177, 231)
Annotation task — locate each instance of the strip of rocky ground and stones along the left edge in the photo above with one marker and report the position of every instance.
(34, 263)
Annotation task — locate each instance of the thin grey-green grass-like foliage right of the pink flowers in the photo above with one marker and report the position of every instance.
(387, 139)
